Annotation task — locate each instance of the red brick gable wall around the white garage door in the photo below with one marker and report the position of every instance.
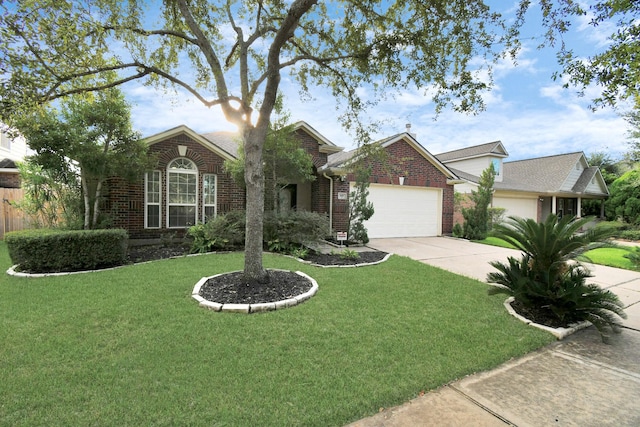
(403, 160)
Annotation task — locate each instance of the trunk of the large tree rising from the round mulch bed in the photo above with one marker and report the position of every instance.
(254, 180)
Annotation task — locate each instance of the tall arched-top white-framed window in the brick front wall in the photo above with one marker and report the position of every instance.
(182, 193)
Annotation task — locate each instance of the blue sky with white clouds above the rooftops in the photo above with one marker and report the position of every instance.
(529, 112)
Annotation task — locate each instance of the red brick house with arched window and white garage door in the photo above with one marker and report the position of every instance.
(411, 190)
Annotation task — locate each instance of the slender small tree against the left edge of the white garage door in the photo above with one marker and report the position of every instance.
(360, 210)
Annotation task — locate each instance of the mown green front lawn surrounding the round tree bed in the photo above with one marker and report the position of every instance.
(131, 347)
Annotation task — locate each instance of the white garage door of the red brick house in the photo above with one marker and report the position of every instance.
(404, 211)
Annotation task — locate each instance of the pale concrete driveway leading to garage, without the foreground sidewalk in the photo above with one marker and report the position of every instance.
(472, 260)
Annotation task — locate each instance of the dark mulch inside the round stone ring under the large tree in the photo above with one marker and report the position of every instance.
(234, 288)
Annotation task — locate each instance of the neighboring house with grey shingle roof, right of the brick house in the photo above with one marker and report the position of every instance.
(531, 188)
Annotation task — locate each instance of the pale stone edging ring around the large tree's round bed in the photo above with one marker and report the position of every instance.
(253, 308)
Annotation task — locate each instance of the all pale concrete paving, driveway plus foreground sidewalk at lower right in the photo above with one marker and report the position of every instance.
(579, 381)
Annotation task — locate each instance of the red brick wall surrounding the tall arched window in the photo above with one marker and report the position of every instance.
(126, 200)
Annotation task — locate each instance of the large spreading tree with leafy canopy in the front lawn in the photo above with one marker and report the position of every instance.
(231, 54)
